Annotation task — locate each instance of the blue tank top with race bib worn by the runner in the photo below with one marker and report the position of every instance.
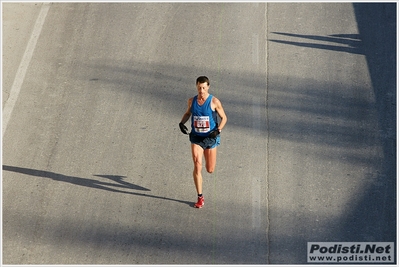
(203, 118)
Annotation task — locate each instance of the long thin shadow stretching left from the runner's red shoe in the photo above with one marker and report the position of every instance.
(91, 183)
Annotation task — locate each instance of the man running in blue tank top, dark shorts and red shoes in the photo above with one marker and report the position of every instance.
(205, 131)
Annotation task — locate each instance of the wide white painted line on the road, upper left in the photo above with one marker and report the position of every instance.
(23, 66)
